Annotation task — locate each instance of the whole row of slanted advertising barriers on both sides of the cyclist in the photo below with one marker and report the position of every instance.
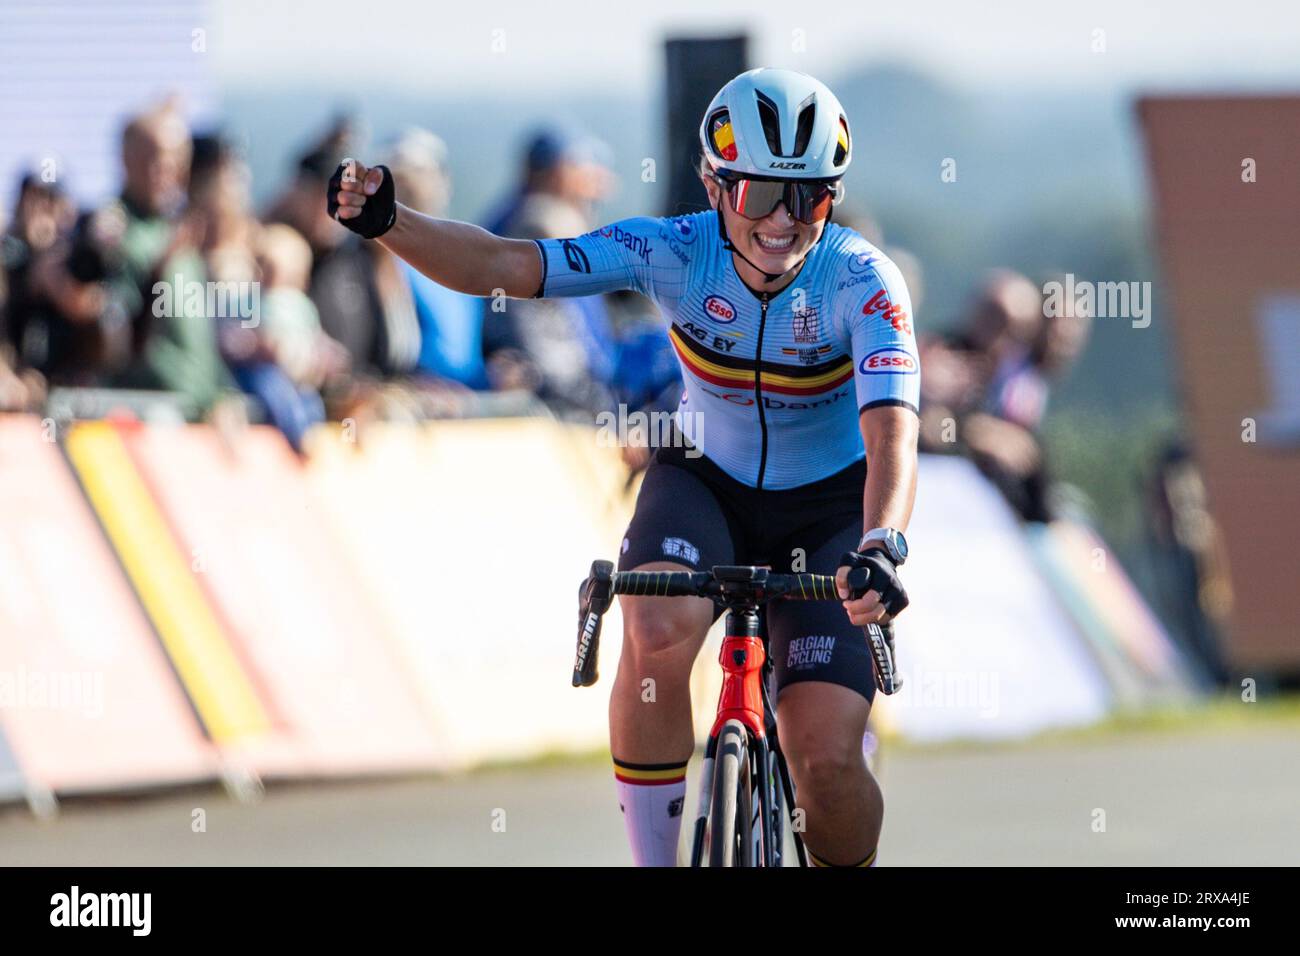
(405, 599)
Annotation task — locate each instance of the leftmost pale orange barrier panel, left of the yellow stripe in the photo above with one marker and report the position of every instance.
(88, 699)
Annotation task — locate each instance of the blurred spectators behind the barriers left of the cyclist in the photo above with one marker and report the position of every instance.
(179, 287)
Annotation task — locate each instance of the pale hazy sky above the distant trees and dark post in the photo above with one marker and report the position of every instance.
(493, 46)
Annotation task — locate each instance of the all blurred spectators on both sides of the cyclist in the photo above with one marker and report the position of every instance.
(179, 287)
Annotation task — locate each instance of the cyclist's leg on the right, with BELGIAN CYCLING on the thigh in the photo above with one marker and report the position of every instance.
(824, 671)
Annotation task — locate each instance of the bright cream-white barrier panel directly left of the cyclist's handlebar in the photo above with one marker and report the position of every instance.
(475, 537)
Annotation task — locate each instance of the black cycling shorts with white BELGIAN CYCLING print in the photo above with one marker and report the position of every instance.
(692, 513)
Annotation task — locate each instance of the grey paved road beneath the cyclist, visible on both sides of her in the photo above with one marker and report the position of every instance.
(1169, 799)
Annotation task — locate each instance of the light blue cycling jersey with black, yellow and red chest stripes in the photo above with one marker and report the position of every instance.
(774, 383)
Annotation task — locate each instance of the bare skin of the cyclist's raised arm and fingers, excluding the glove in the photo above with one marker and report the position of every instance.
(457, 256)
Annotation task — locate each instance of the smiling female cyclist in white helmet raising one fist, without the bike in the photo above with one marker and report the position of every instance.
(801, 384)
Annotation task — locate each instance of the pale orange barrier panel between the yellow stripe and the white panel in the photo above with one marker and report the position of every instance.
(288, 598)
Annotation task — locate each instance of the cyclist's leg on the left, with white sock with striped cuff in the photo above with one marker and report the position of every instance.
(679, 526)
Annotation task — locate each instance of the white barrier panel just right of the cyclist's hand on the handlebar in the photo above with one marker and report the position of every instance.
(986, 650)
